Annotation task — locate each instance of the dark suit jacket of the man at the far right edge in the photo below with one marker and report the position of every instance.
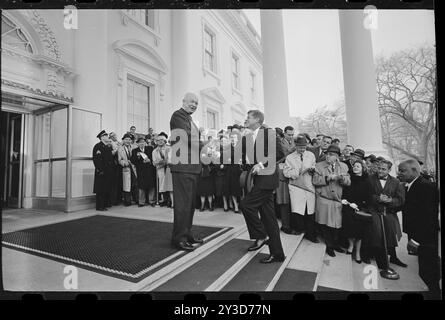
(420, 212)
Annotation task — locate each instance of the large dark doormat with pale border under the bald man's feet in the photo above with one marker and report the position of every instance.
(119, 247)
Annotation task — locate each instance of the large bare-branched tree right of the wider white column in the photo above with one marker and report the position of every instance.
(406, 86)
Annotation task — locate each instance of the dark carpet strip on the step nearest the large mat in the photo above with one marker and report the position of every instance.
(202, 274)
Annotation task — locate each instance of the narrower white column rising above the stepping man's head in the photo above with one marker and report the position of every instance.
(276, 101)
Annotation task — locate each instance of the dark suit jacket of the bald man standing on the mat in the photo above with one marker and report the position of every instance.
(182, 120)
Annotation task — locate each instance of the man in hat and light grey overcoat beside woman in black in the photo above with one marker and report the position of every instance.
(329, 178)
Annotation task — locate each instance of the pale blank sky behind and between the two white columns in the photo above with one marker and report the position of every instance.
(313, 51)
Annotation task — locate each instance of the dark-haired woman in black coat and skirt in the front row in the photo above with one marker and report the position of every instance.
(358, 194)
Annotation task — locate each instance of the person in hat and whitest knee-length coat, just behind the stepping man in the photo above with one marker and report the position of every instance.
(299, 168)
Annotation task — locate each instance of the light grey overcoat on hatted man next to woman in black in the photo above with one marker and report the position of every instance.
(328, 212)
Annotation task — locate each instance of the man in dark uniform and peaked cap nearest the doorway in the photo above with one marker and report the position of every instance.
(103, 164)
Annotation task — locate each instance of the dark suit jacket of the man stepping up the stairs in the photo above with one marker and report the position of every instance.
(270, 181)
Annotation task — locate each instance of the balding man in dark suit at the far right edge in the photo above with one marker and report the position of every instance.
(420, 221)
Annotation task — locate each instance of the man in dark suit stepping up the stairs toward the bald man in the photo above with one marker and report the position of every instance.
(260, 198)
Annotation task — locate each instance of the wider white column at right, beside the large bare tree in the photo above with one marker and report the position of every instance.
(362, 113)
